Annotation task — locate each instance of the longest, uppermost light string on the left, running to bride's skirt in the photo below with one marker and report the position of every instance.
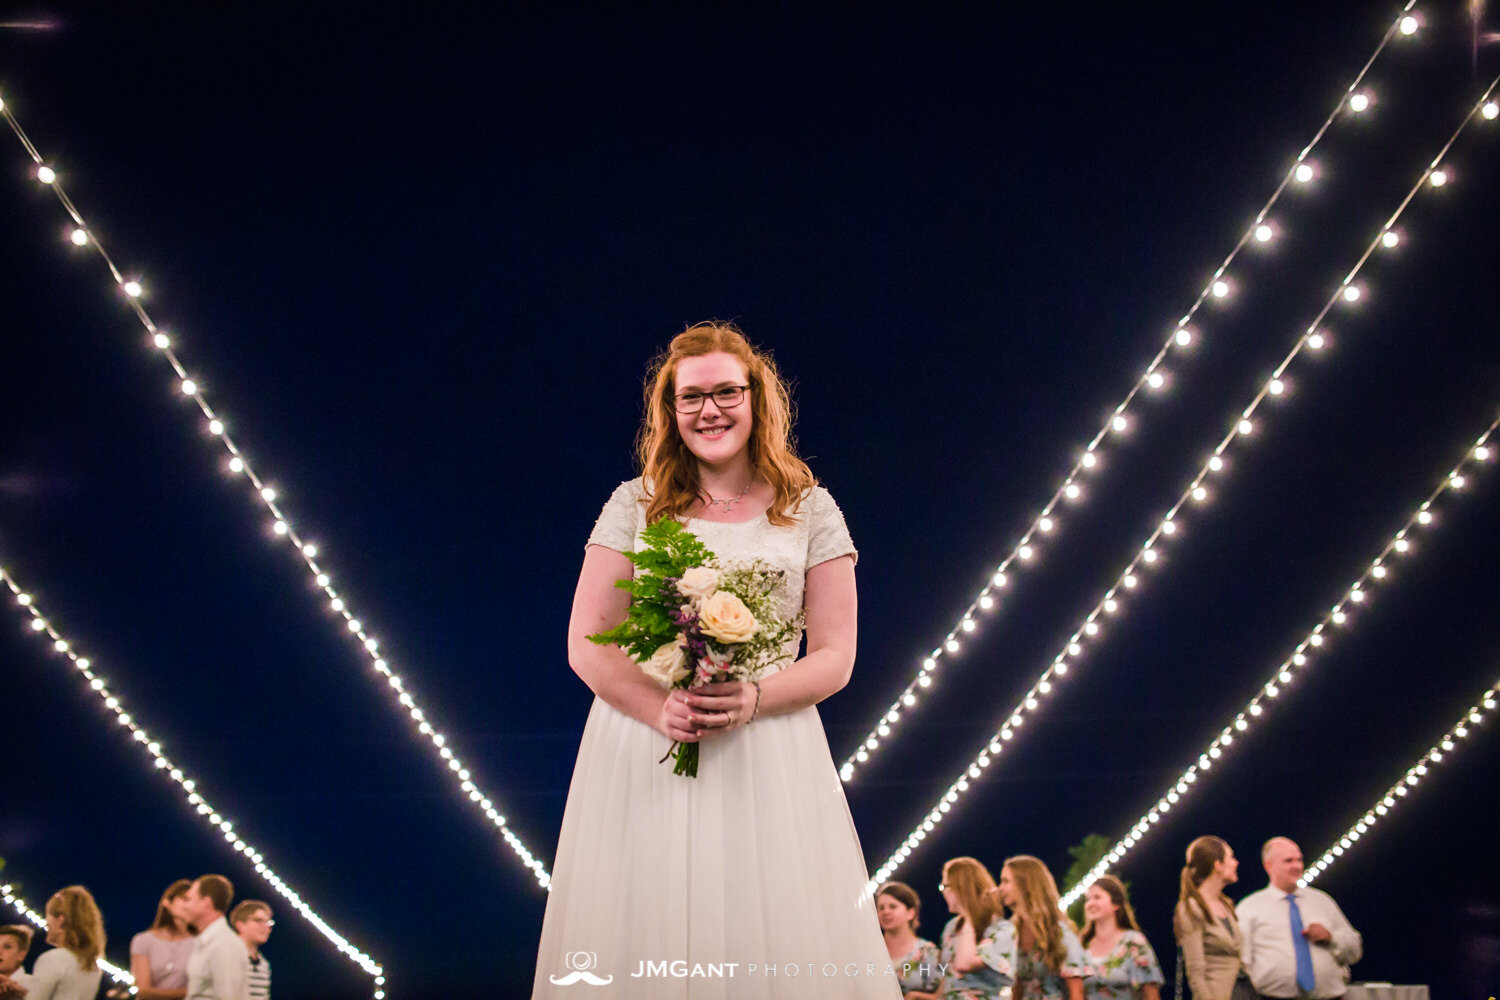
(283, 528)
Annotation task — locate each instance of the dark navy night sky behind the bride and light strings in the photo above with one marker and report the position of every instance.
(421, 260)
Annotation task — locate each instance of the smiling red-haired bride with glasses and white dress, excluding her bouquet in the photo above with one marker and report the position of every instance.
(746, 882)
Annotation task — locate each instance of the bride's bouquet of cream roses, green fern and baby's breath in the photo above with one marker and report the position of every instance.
(695, 620)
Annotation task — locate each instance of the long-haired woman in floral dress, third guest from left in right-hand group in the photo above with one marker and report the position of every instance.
(1037, 945)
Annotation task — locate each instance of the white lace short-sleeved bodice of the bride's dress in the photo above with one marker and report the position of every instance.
(818, 536)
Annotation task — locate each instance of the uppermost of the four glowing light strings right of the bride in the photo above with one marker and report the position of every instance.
(1156, 379)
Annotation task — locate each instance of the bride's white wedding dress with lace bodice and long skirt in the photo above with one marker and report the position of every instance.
(745, 884)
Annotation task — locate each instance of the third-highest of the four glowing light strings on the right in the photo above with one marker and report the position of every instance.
(1378, 573)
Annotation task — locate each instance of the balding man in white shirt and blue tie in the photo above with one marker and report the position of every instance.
(1298, 944)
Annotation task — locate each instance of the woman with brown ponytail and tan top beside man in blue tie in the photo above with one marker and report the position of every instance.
(1205, 923)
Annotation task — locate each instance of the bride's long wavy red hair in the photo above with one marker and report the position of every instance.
(667, 464)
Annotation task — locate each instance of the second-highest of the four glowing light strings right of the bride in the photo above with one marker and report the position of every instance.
(1112, 605)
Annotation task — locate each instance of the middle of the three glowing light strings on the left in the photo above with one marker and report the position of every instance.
(43, 627)
